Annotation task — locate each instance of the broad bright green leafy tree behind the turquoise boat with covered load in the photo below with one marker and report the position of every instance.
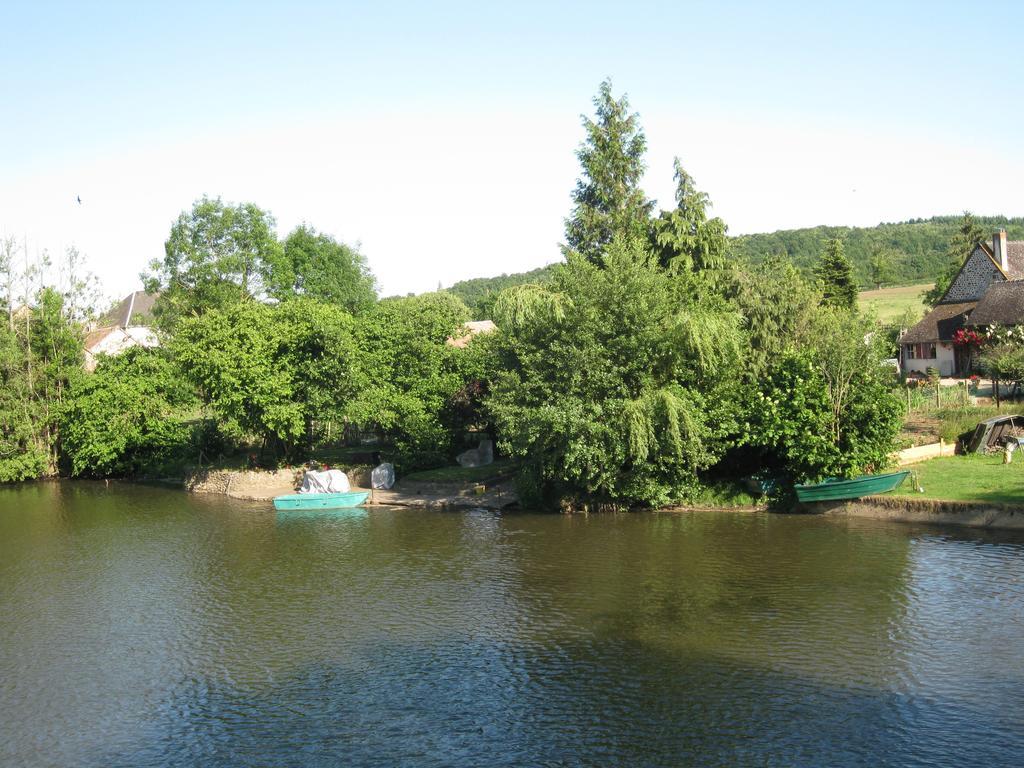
(272, 371)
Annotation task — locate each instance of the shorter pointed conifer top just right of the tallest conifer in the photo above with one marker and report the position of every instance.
(685, 238)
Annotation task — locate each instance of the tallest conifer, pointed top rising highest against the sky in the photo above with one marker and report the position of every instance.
(608, 198)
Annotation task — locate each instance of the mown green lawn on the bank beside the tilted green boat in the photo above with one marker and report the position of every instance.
(976, 478)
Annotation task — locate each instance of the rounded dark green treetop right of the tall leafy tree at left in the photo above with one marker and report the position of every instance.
(317, 266)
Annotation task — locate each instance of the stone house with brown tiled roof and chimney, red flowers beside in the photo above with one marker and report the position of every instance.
(988, 290)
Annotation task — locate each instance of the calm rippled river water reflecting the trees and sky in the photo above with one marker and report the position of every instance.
(144, 627)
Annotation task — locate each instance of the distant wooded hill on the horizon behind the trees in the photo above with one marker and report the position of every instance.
(918, 247)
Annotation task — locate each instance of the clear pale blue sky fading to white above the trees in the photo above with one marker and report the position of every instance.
(116, 100)
